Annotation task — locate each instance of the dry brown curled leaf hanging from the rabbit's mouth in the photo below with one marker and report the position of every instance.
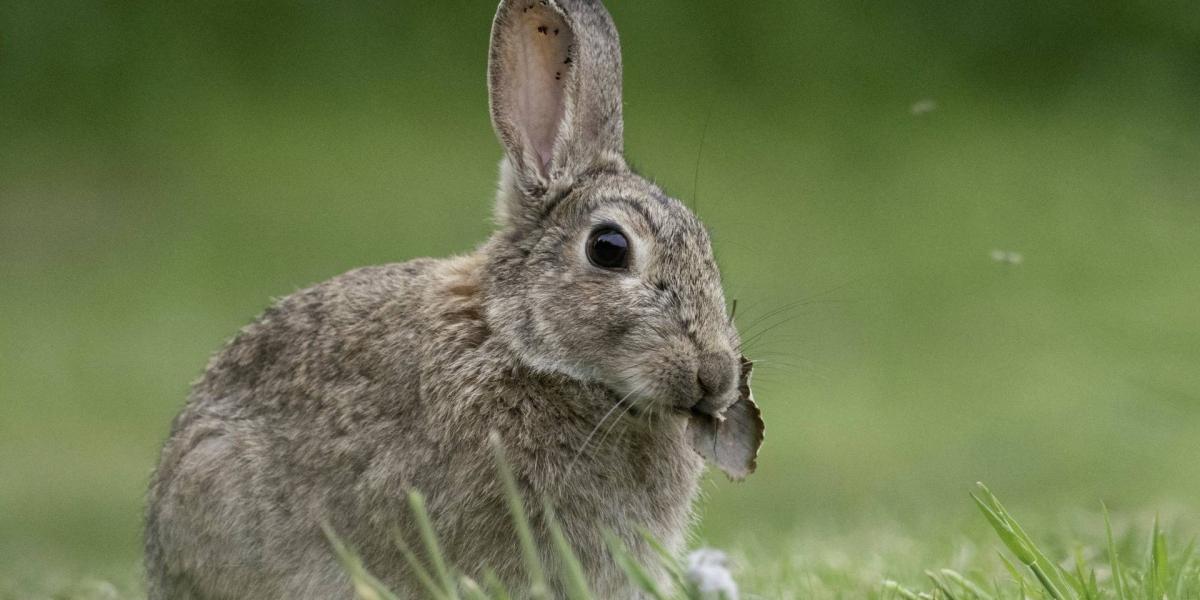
(731, 440)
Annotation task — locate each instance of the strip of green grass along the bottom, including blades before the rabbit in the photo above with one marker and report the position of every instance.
(1081, 556)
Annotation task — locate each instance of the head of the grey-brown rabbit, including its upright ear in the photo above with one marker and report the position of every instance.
(596, 273)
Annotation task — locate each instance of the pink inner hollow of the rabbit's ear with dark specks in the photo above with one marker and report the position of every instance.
(541, 52)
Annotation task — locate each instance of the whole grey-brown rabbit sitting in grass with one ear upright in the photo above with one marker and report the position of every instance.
(589, 335)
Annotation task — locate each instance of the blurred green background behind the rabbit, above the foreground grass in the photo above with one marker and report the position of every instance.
(167, 169)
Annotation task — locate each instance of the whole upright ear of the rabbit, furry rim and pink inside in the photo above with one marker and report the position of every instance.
(555, 88)
